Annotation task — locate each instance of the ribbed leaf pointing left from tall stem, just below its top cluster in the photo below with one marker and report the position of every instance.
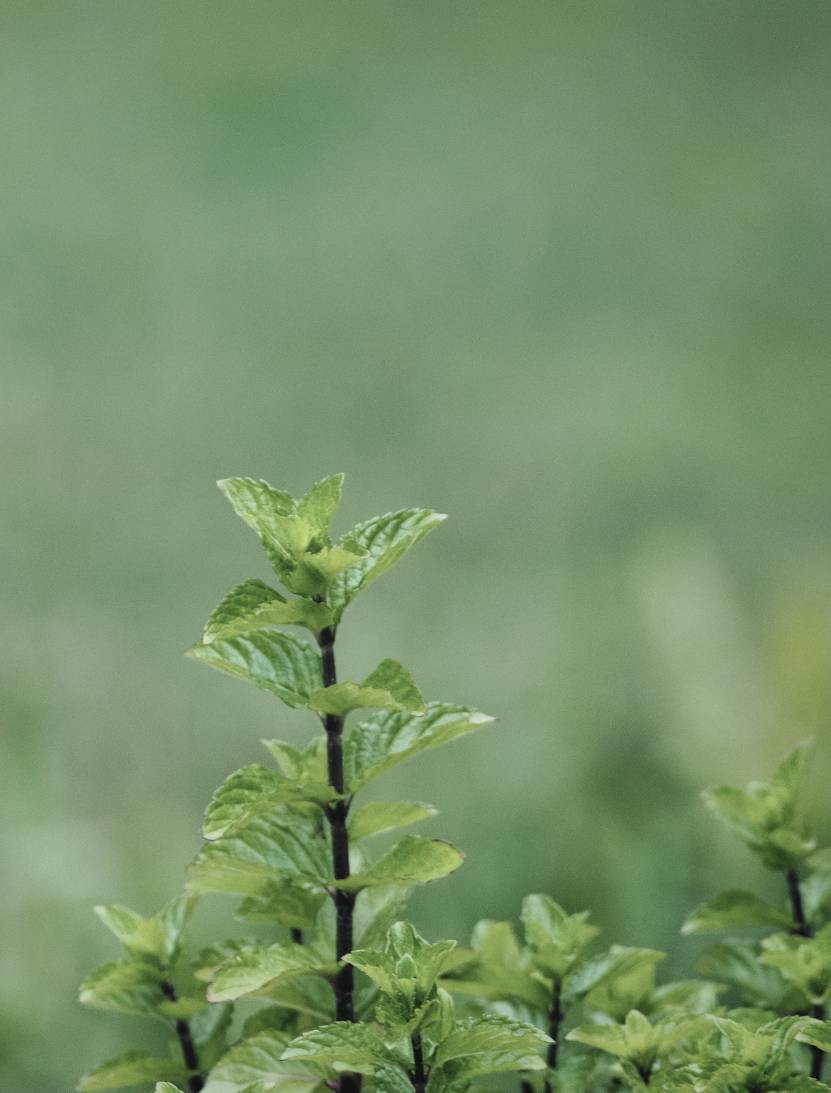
(273, 661)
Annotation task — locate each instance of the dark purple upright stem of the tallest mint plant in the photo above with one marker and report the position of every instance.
(337, 815)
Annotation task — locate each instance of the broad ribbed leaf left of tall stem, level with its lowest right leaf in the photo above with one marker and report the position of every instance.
(256, 860)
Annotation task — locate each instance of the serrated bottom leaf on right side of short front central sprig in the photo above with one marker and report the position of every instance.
(487, 1045)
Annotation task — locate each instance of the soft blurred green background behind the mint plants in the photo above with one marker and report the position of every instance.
(558, 269)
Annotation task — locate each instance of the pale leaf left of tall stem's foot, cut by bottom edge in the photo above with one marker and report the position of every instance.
(258, 1060)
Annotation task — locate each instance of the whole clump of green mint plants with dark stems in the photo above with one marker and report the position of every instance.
(348, 994)
